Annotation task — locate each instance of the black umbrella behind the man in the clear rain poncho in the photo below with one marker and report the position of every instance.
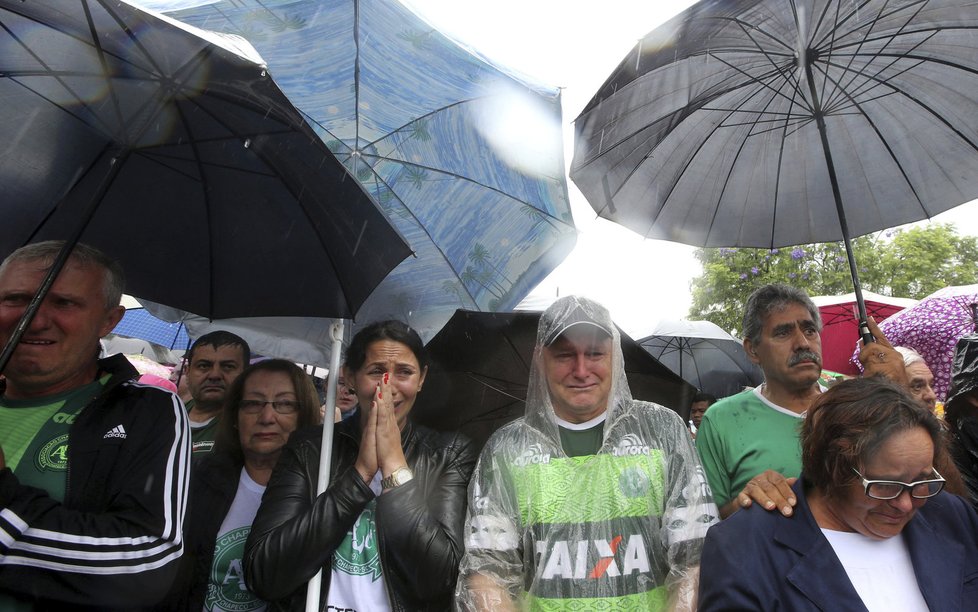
(481, 366)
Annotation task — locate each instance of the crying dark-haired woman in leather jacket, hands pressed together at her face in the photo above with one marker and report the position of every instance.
(387, 530)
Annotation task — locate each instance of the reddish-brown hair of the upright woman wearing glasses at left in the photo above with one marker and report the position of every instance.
(228, 440)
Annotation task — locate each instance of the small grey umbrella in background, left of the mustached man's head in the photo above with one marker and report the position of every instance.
(704, 355)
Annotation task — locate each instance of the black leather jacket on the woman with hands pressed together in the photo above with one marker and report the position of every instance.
(419, 524)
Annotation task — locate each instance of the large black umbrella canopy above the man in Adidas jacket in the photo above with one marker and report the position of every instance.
(207, 184)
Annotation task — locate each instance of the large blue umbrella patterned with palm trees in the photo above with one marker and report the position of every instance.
(438, 135)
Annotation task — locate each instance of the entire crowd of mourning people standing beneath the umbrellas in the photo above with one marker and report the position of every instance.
(117, 494)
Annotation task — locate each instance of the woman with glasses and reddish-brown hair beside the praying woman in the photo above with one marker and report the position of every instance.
(264, 406)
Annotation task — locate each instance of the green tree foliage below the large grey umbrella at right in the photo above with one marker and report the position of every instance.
(904, 263)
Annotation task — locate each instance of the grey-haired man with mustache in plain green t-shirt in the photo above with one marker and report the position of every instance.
(748, 442)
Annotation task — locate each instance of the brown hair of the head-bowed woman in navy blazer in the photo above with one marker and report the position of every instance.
(849, 423)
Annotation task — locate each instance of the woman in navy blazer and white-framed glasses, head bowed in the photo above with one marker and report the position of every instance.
(872, 529)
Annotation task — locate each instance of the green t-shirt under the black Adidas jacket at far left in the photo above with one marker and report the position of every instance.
(34, 436)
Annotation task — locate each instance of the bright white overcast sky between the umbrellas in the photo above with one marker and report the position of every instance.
(574, 45)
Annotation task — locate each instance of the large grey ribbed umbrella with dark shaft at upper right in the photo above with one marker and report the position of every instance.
(767, 123)
